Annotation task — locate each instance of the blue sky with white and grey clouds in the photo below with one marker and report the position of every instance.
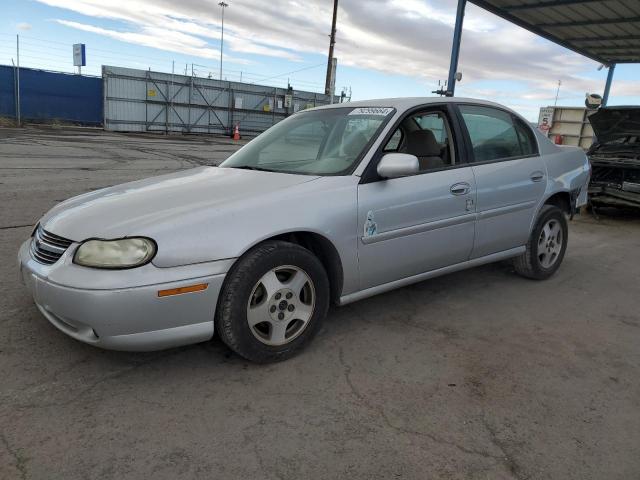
(385, 48)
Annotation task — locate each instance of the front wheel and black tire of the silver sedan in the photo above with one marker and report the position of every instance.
(273, 302)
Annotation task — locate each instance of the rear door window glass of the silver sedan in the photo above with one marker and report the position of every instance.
(494, 135)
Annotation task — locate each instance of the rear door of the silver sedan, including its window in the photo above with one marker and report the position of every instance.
(509, 173)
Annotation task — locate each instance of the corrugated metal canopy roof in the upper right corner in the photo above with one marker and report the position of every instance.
(607, 31)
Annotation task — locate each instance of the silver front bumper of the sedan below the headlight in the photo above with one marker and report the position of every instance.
(121, 309)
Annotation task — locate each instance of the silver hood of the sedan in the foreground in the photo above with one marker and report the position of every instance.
(135, 208)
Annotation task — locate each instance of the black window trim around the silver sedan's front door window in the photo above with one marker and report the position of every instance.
(370, 174)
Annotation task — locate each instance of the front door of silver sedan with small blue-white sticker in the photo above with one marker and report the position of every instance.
(415, 224)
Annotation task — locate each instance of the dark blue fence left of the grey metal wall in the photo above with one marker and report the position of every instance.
(51, 96)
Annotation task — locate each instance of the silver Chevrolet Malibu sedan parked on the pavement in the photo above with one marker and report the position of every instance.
(331, 205)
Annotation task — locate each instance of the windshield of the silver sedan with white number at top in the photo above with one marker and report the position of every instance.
(317, 142)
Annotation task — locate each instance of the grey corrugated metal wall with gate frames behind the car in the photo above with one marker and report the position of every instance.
(145, 101)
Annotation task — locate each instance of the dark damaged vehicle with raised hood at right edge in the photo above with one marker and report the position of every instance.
(615, 158)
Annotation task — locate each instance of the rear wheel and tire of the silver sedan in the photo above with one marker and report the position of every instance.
(546, 246)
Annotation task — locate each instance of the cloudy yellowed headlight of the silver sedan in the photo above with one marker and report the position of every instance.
(123, 253)
